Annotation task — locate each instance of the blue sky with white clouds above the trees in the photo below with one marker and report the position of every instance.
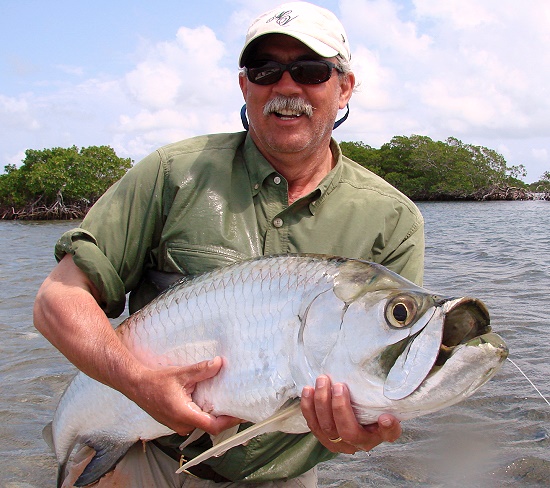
(137, 74)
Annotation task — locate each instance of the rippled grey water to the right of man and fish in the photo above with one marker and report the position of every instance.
(499, 252)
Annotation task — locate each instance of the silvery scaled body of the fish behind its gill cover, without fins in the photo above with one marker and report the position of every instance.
(248, 316)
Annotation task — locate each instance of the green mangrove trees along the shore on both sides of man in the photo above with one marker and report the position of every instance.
(64, 183)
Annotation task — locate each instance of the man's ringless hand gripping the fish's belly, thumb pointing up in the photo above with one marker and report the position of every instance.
(166, 395)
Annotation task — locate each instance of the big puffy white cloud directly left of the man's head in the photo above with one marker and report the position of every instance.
(179, 89)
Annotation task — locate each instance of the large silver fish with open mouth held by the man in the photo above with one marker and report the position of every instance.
(279, 322)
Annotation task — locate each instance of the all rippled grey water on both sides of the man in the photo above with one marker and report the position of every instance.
(496, 251)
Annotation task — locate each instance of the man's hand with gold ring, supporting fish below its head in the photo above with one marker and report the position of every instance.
(329, 415)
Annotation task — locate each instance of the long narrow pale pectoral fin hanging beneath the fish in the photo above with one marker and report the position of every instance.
(272, 424)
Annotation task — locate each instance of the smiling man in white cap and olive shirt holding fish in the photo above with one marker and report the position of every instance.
(282, 186)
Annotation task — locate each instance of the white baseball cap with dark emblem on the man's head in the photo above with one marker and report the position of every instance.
(317, 27)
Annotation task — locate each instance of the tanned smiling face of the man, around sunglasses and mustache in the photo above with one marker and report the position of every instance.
(278, 134)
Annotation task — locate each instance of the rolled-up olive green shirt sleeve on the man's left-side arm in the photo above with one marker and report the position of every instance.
(113, 243)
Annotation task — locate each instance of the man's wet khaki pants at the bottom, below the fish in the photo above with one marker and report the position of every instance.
(151, 468)
